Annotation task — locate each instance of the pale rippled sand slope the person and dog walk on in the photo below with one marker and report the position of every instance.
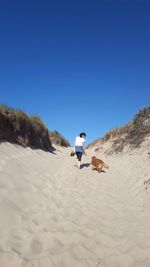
(54, 215)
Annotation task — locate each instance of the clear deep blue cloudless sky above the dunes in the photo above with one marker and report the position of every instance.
(79, 65)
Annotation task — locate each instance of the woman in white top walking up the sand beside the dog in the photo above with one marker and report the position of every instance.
(79, 147)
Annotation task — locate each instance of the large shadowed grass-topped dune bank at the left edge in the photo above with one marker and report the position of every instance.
(17, 127)
